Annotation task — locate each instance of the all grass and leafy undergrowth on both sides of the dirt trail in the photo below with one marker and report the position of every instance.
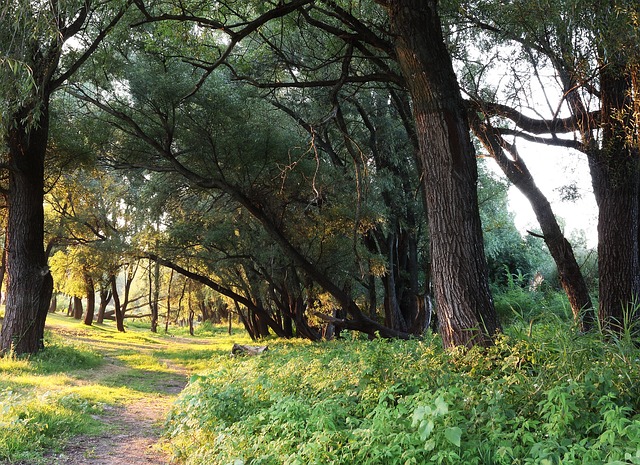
(544, 394)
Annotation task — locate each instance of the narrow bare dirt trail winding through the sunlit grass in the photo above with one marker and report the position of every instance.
(133, 430)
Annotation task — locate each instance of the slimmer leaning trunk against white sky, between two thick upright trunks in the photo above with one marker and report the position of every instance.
(569, 273)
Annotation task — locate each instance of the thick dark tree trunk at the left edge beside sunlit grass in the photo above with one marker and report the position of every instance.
(30, 283)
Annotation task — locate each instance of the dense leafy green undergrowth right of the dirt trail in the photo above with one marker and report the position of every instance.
(554, 397)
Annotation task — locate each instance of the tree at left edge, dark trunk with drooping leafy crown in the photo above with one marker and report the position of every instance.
(35, 62)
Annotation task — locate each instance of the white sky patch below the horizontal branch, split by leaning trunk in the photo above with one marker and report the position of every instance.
(552, 168)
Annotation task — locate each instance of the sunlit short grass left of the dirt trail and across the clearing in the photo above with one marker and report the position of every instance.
(58, 394)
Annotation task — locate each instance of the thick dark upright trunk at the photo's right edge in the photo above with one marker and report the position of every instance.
(615, 172)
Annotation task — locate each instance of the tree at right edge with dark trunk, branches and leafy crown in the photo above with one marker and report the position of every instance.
(592, 49)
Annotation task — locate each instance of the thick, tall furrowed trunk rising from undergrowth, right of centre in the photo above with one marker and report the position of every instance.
(446, 160)
